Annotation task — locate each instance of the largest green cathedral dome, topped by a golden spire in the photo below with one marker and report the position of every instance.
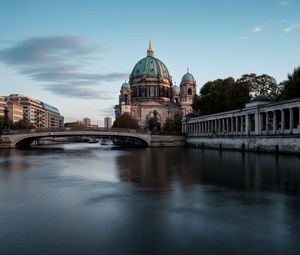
(150, 67)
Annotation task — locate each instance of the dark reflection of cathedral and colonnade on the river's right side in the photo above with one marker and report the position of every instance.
(232, 170)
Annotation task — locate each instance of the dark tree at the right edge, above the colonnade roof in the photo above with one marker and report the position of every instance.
(291, 87)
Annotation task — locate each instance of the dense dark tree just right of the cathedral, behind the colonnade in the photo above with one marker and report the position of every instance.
(220, 95)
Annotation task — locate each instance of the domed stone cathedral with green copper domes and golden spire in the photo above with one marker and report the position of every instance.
(150, 92)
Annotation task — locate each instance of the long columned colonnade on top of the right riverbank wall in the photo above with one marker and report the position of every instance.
(257, 118)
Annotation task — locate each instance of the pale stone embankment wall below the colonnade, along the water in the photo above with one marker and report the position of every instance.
(275, 144)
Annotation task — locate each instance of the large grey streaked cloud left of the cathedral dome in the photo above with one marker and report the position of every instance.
(58, 62)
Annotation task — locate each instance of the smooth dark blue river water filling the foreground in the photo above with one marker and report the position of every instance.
(88, 199)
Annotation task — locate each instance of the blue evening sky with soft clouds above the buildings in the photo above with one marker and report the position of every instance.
(75, 54)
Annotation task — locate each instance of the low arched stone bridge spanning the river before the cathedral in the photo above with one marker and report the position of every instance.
(124, 137)
